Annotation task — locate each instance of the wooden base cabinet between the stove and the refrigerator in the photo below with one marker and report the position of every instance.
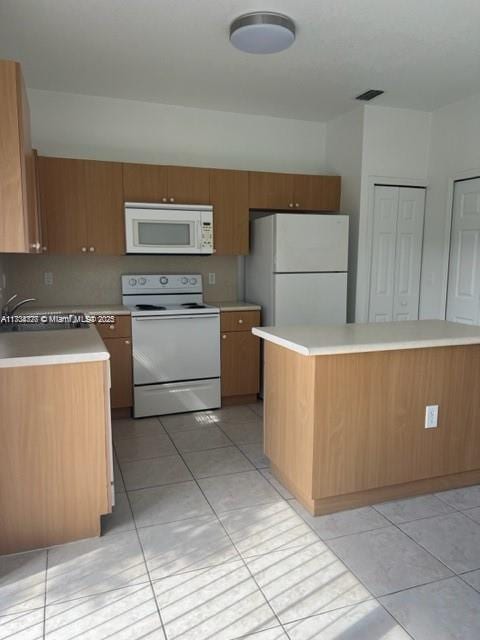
(240, 359)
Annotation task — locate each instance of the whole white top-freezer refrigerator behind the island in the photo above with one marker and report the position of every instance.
(297, 268)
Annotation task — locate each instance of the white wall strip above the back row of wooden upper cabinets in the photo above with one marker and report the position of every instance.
(91, 127)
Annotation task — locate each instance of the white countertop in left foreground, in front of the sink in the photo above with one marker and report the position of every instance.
(62, 346)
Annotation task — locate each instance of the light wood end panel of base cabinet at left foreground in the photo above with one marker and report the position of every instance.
(55, 454)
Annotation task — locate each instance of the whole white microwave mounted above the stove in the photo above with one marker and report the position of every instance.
(168, 228)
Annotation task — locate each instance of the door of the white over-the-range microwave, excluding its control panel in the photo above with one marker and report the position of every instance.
(159, 231)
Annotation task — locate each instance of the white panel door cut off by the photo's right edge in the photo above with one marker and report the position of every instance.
(464, 277)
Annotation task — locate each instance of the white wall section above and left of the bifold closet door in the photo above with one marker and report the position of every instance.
(395, 151)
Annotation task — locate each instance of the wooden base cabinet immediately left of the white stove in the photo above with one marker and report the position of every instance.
(118, 340)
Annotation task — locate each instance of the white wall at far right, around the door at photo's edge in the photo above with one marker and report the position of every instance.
(454, 153)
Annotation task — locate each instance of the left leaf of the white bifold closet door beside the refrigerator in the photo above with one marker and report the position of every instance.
(382, 274)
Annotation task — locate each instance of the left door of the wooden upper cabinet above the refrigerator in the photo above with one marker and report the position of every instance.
(270, 190)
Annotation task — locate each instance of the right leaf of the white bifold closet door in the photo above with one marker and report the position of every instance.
(408, 253)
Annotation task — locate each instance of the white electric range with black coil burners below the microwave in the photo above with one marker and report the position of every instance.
(175, 343)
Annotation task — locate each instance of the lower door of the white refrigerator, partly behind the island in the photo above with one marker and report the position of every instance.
(310, 298)
